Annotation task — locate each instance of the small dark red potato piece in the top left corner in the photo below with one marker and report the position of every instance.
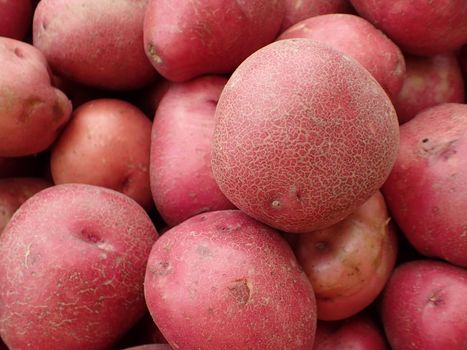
(15, 18)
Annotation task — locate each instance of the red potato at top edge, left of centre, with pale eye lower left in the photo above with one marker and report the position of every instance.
(207, 37)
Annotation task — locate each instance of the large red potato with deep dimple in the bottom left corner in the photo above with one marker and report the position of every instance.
(72, 262)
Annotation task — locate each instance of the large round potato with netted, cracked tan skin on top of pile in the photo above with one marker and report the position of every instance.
(304, 135)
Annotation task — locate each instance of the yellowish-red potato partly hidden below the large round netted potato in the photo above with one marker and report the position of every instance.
(349, 263)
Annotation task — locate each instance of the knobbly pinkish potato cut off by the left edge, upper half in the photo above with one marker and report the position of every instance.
(32, 111)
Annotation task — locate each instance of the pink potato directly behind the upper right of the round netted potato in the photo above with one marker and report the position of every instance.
(359, 39)
